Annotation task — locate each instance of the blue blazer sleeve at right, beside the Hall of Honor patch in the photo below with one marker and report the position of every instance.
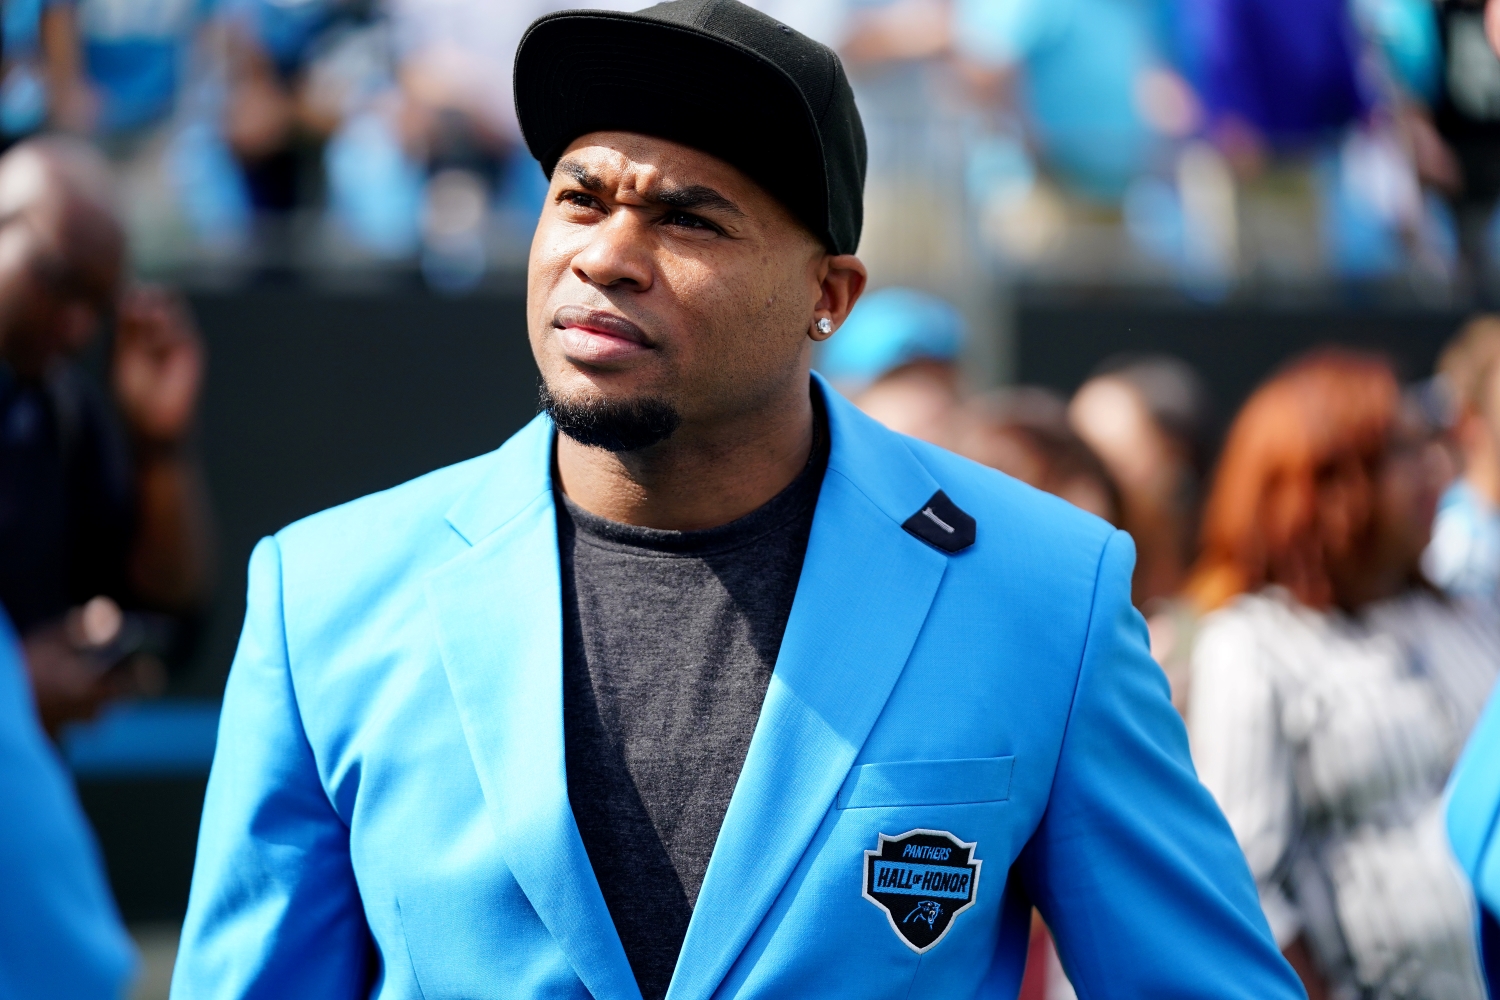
(1133, 866)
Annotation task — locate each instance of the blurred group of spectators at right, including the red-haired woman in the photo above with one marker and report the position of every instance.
(1322, 590)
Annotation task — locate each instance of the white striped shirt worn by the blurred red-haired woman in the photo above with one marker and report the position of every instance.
(1327, 740)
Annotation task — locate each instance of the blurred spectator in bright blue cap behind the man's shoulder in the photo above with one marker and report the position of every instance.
(898, 359)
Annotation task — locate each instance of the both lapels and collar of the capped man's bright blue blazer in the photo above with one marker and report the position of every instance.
(863, 597)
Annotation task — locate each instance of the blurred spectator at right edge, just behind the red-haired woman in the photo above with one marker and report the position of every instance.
(1465, 555)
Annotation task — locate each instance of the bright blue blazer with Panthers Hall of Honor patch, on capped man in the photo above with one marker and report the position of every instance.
(388, 813)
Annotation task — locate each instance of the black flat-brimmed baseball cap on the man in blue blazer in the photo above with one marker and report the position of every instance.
(716, 76)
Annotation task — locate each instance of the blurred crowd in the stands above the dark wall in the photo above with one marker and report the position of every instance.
(1210, 145)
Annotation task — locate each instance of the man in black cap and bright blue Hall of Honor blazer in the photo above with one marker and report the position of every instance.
(703, 684)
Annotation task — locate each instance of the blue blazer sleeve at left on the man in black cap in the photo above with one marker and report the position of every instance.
(274, 909)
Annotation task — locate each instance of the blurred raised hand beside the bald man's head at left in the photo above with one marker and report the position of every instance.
(158, 367)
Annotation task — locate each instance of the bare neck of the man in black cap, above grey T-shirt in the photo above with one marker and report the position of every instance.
(701, 478)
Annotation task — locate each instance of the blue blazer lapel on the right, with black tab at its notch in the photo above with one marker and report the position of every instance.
(862, 600)
